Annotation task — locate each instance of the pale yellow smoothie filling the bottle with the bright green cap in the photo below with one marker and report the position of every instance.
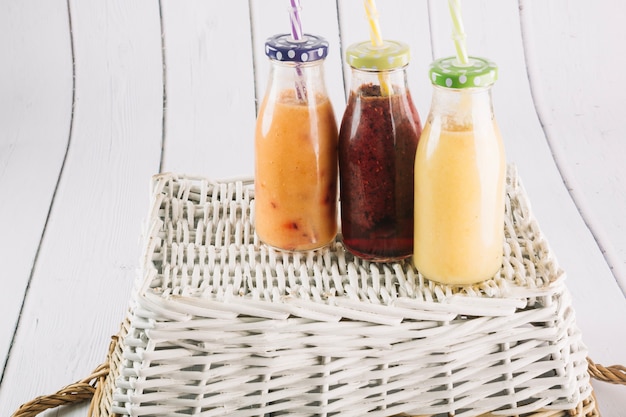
(459, 202)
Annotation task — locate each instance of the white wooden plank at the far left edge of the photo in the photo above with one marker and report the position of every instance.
(35, 114)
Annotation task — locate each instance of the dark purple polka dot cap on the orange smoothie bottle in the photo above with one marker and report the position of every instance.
(286, 49)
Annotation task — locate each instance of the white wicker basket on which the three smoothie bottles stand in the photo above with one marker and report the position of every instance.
(223, 325)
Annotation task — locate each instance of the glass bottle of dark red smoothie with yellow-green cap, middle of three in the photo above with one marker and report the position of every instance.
(377, 143)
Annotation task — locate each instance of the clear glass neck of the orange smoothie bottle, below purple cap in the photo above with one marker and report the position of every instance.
(305, 80)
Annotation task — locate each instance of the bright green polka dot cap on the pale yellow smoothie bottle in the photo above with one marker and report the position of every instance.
(448, 72)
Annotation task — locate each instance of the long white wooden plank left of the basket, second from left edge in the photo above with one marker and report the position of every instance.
(89, 254)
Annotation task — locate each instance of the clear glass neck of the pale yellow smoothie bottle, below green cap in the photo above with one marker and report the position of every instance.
(461, 108)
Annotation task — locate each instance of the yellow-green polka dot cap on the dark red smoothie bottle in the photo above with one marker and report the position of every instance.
(390, 55)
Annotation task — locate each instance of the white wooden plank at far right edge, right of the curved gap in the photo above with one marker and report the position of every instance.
(574, 61)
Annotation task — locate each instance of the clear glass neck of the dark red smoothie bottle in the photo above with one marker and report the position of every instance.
(377, 83)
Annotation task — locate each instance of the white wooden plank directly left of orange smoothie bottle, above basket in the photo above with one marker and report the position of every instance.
(210, 103)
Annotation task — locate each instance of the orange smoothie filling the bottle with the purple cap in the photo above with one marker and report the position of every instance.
(296, 172)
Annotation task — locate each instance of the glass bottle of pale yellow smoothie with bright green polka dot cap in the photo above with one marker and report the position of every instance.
(460, 177)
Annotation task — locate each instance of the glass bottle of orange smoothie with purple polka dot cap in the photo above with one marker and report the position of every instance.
(296, 149)
